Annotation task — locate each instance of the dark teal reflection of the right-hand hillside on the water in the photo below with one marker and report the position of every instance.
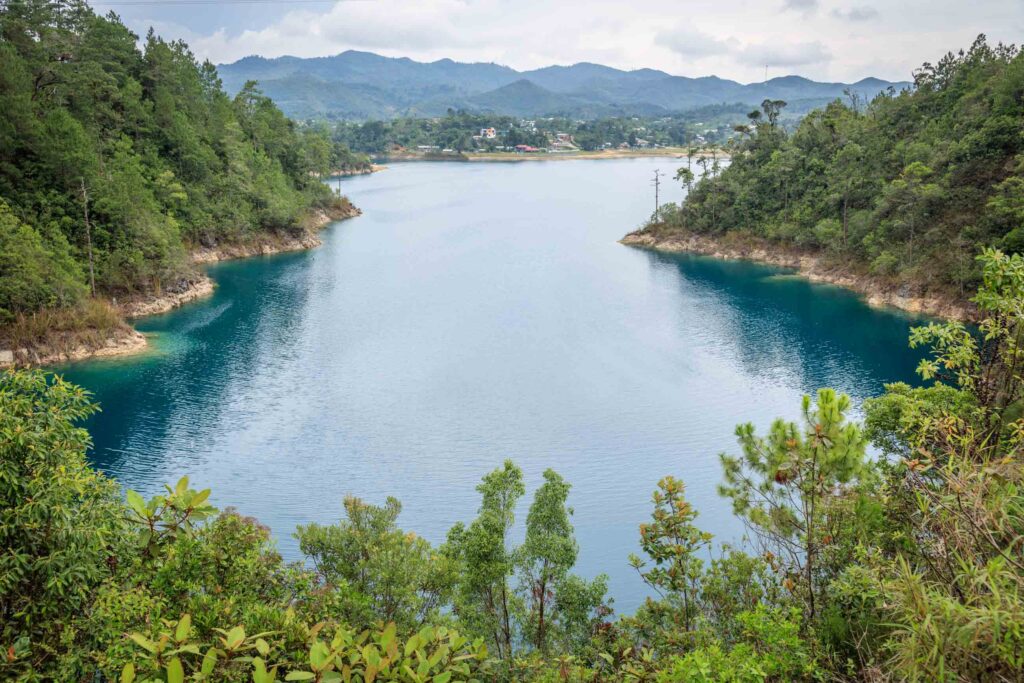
(778, 324)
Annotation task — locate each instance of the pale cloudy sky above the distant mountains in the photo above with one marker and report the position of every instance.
(843, 40)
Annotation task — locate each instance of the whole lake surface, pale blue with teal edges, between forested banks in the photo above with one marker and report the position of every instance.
(478, 313)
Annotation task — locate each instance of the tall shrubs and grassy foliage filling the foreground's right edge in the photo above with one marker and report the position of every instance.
(944, 585)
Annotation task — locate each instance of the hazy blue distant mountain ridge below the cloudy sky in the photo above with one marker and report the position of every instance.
(364, 86)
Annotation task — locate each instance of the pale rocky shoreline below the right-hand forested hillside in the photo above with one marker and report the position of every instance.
(879, 292)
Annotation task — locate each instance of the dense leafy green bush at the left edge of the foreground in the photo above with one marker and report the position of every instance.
(60, 520)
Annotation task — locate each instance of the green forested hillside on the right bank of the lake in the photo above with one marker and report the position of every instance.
(911, 187)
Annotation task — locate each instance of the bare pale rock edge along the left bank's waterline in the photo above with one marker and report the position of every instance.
(126, 340)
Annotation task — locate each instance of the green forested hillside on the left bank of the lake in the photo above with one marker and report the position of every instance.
(115, 161)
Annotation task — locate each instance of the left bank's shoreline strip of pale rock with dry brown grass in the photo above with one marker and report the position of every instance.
(100, 329)
